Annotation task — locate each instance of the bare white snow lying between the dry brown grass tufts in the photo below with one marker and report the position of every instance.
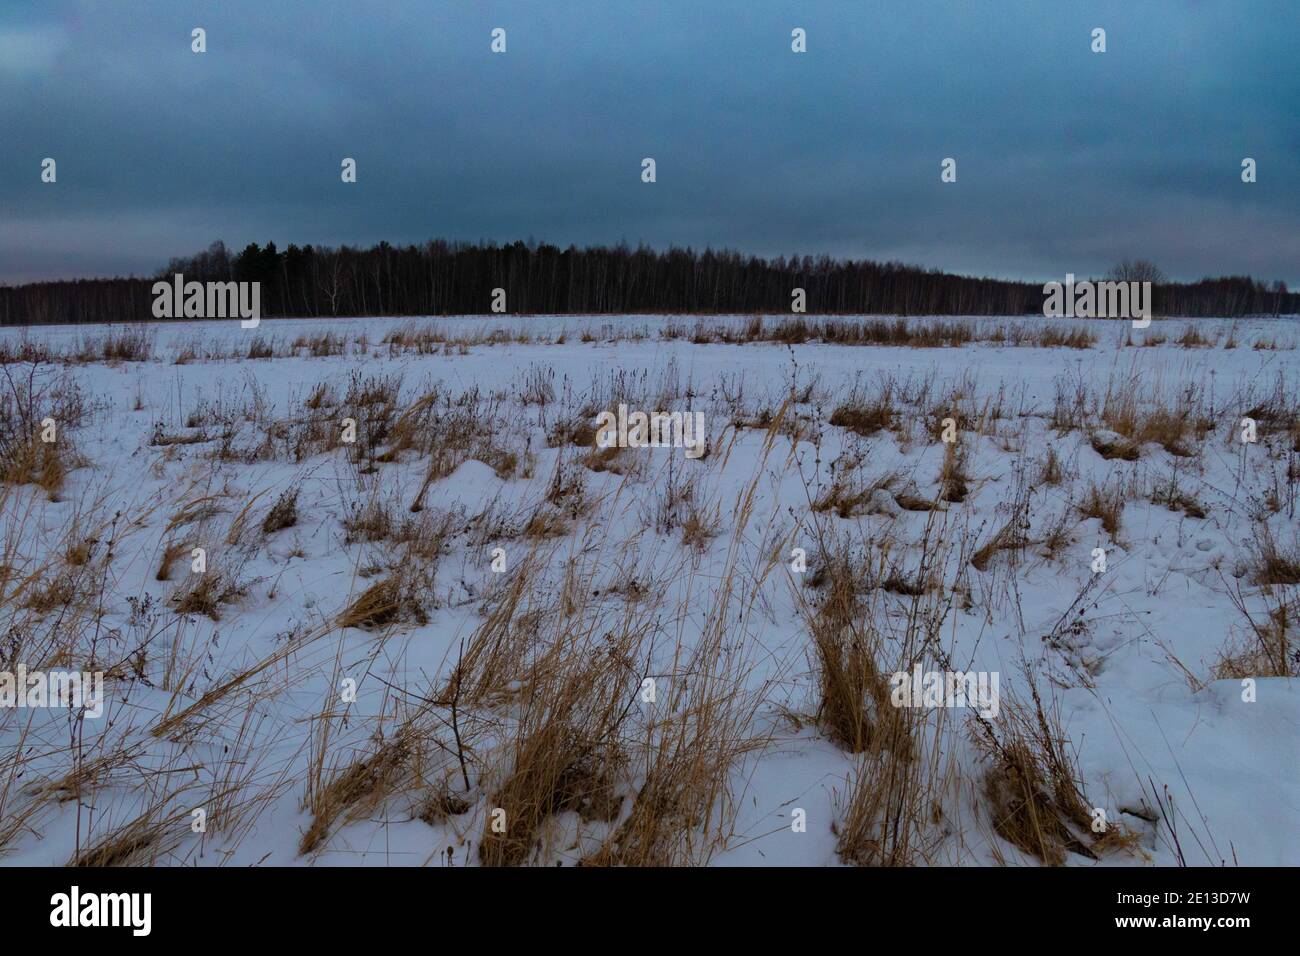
(1230, 767)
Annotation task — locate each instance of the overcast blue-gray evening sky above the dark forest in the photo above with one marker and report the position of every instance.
(1068, 161)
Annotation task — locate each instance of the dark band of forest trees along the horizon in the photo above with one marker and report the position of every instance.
(443, 278)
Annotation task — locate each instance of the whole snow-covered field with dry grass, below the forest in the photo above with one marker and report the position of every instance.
(370, 592)
